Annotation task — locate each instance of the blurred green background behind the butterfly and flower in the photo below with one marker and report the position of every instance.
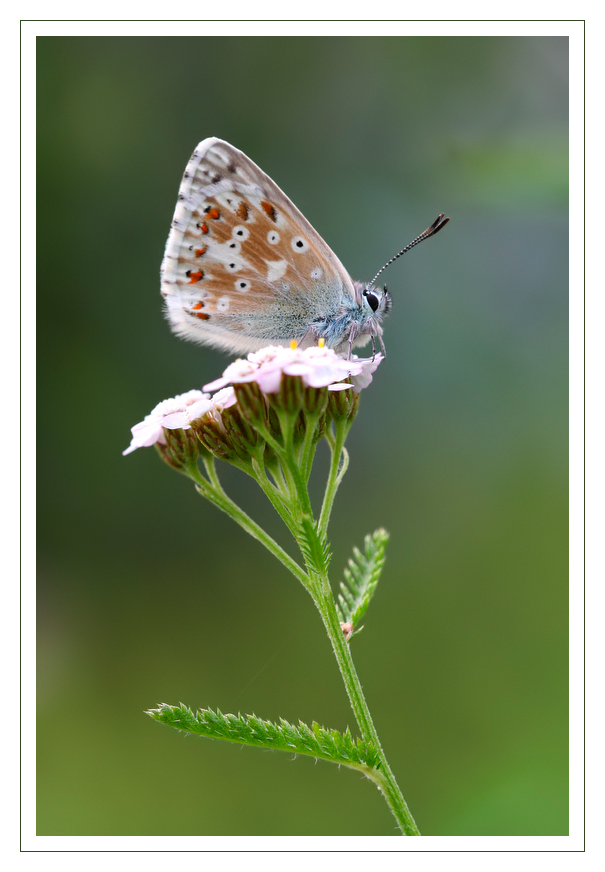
(147, 595)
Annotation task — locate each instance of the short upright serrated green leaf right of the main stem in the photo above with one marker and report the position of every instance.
(361, 578)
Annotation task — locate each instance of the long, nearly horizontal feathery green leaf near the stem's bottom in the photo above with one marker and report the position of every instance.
(314, 741)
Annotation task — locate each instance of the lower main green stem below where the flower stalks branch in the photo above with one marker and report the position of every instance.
(382, 775)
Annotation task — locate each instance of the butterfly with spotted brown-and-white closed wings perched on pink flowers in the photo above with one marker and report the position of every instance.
(244, 269)
